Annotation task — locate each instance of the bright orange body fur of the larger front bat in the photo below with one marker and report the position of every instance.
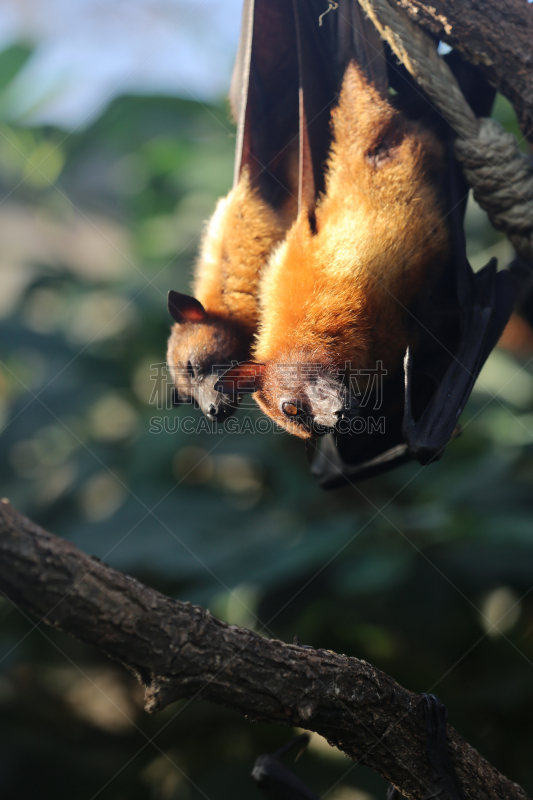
(340, 294)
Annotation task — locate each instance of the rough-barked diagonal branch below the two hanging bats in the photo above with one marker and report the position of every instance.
(178, 650)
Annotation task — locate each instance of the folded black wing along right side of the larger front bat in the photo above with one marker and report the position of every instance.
(458, 326)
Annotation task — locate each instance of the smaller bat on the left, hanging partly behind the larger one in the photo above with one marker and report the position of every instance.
(215, 327)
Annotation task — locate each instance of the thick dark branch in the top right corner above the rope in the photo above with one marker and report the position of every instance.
(496, 34)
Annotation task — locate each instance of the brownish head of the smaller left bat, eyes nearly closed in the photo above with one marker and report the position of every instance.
(196, 354)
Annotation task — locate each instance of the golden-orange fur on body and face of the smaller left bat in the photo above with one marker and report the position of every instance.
(235, 247)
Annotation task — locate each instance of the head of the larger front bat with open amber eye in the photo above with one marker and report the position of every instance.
(306, 398)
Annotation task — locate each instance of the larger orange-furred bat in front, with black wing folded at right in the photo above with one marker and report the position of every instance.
(373, 275)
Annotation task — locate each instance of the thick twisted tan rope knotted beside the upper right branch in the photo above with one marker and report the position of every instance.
(501, 176)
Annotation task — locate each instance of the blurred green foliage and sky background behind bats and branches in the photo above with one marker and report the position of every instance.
(115, 142)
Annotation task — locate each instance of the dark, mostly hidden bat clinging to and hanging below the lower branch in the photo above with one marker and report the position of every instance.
(277, 782)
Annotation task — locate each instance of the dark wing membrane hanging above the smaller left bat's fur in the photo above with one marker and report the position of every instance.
(264, 97)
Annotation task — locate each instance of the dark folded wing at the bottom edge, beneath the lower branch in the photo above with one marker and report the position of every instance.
(275, 780)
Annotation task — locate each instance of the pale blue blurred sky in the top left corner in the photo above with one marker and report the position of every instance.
(89, 51)
